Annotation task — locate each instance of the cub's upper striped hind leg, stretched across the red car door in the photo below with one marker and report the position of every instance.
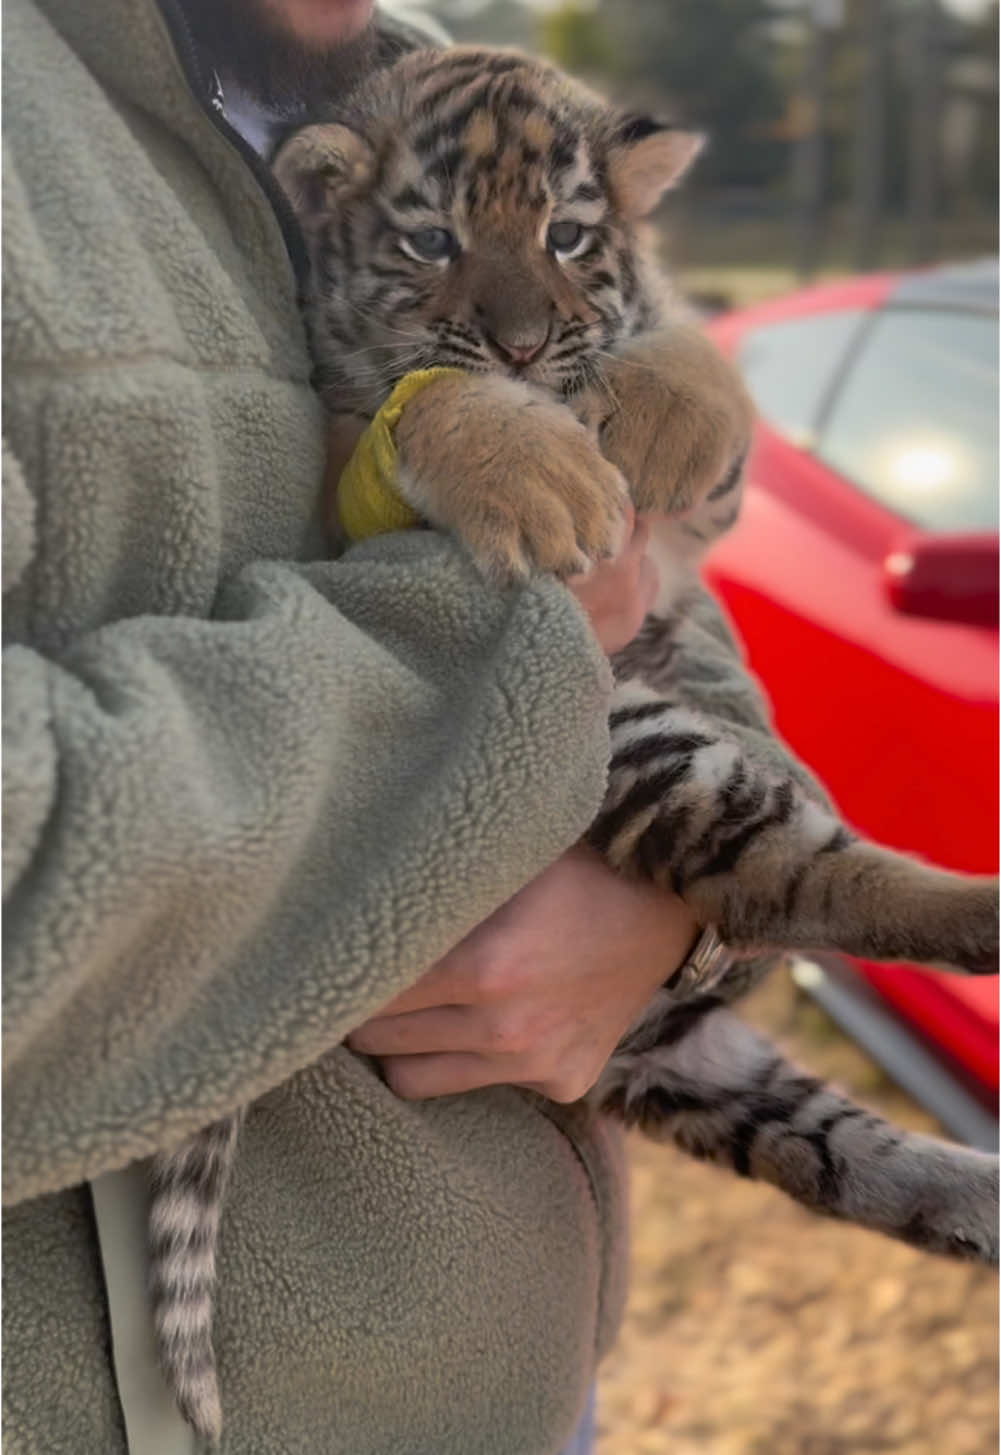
(769, 864)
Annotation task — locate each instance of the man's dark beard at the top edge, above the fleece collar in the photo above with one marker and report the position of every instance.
(250, 46)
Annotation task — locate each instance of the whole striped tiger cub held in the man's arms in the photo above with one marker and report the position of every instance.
(476, 209)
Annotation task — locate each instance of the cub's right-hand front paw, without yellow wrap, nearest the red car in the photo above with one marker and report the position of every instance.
(677, 423)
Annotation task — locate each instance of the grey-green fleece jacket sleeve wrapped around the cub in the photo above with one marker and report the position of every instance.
(231, 840)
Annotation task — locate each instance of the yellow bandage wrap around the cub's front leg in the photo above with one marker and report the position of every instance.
(369, 501)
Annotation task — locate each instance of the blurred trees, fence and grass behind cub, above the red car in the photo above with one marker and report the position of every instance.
(846, 135)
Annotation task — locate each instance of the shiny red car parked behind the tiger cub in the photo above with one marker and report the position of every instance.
(864, 581)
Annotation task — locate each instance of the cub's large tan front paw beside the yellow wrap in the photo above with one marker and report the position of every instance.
(513, 474)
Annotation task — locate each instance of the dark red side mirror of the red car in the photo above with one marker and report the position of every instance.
(946, 578)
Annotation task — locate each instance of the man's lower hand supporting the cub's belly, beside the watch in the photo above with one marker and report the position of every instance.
(541, 993)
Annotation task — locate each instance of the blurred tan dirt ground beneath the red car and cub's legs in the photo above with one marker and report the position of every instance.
(756, 1329)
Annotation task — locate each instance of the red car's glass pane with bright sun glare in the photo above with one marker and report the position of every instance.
(914, 421)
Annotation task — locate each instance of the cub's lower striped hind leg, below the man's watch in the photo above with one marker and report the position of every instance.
(725, 1095)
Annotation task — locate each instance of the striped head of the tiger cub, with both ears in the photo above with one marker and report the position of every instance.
(479, 210)
